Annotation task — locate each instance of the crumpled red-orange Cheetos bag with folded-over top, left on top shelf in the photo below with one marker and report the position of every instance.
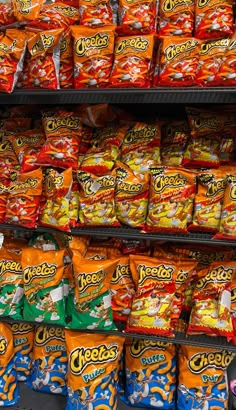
(44, 48)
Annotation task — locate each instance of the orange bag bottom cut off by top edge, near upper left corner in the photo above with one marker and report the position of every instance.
(27, 10)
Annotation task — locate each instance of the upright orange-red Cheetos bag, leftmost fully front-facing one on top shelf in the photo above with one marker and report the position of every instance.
(93, 55)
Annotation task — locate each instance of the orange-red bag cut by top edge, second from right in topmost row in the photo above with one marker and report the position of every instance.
(176, 18)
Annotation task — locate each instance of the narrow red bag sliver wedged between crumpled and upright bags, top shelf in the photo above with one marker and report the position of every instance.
(66, 61)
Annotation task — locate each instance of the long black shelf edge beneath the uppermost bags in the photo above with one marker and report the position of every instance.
(123, 96)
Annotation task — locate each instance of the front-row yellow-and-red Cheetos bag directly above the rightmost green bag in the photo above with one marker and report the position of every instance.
(97, 203)
